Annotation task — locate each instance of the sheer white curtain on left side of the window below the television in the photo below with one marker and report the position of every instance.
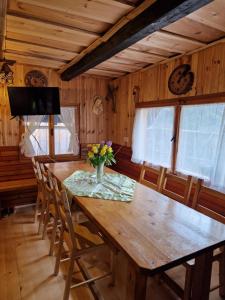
(31, 124)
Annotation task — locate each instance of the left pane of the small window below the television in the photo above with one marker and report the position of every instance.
(37, 127)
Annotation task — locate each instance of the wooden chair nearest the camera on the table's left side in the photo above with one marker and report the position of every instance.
(75, 244)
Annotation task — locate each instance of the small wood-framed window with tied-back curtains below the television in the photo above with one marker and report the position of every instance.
(52, 135)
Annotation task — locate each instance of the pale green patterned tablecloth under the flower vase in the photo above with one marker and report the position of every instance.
(113, 186)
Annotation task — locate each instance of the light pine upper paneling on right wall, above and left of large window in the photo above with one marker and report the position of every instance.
(208, 66)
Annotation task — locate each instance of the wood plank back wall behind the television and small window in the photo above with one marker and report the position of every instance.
(80, 91)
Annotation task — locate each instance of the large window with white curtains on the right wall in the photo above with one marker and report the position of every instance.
(198, 149)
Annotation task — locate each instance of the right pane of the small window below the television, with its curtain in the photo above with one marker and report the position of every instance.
(66, 139)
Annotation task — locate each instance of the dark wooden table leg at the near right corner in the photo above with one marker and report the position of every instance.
(202, 276)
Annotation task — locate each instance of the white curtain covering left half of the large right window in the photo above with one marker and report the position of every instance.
(152, 134)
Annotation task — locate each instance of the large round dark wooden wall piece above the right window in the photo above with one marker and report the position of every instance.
(181, 80)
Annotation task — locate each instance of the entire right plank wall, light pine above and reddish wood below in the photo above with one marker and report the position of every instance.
(209, 68)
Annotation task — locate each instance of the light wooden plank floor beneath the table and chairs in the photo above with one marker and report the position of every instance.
(26, 268)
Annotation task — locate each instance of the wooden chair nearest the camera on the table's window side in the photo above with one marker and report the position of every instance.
(218, 255)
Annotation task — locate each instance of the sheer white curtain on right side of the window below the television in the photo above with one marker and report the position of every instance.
(68, 118)
